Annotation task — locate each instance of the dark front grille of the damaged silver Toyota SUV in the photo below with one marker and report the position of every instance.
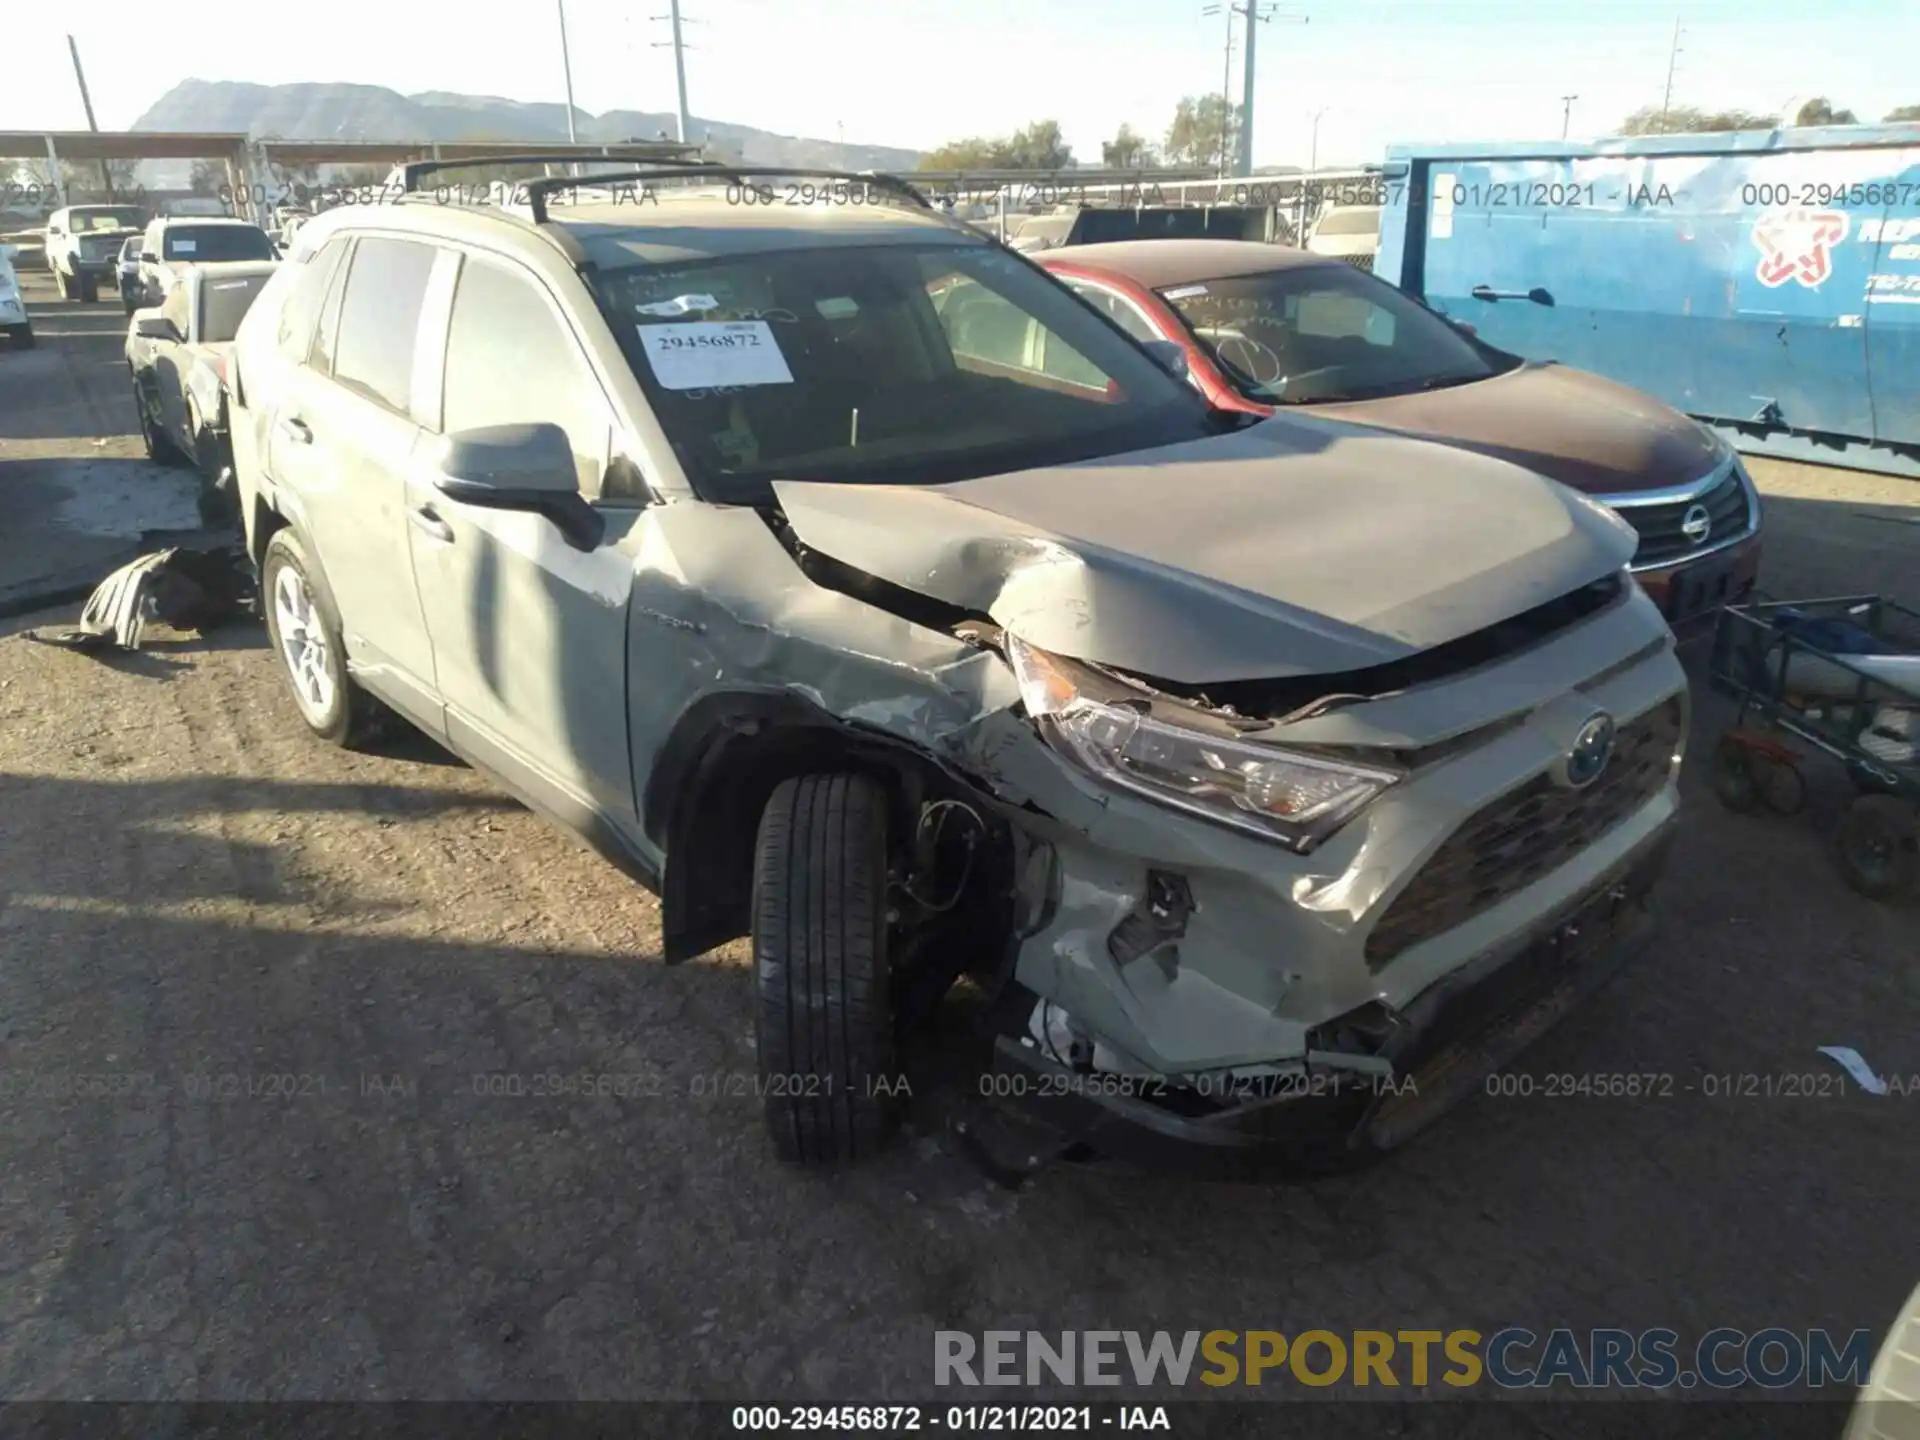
(1527, 834)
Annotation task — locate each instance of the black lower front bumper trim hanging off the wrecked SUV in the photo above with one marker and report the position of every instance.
(1335, 1113)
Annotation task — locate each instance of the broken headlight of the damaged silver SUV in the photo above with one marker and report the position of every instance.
(1287, 796)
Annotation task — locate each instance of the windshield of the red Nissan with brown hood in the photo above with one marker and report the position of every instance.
(1326, 333)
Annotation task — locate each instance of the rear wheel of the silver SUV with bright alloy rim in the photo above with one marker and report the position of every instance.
(314, 658)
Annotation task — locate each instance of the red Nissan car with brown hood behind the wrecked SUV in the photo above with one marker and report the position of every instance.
(1272, 329)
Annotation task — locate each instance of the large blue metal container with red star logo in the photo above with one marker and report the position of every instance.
(1767, 283)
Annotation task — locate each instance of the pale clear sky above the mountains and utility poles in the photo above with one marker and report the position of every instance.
(921, 72)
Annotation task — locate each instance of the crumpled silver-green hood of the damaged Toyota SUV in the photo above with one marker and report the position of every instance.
(1291, 548)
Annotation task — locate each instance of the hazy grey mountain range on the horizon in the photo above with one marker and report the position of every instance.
(372, 112)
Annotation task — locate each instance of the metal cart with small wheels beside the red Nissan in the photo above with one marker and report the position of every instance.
(1844, 677)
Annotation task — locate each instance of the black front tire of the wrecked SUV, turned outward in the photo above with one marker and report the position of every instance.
(825, 1011)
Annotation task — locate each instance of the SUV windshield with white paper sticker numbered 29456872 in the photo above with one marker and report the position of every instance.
(892, 366)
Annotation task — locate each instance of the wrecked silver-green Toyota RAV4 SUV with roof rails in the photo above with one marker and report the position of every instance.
(1282, 779)
